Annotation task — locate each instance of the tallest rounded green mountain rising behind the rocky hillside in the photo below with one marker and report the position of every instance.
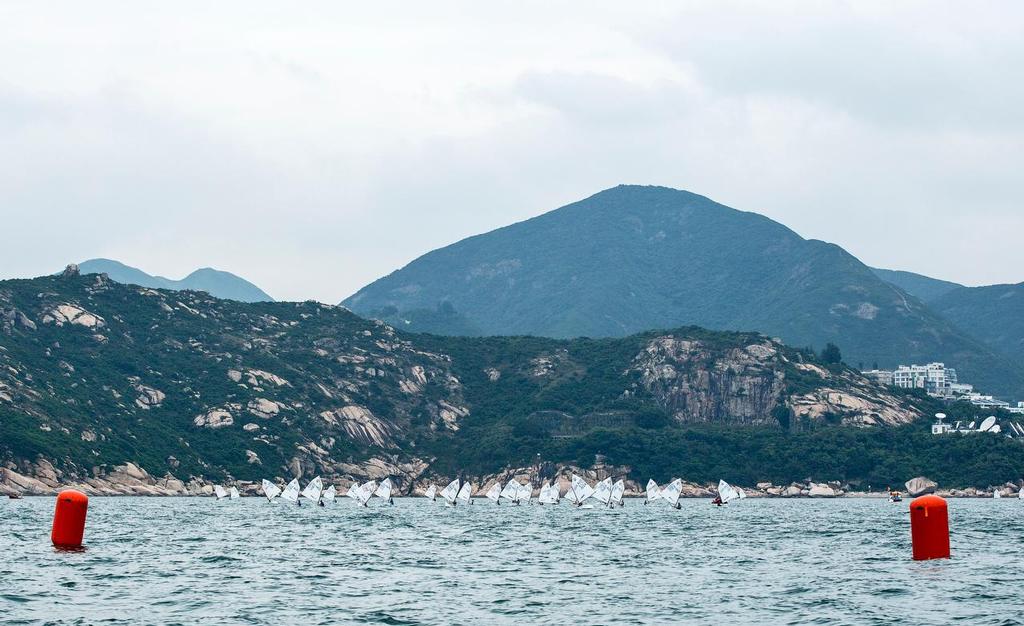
(634, 259)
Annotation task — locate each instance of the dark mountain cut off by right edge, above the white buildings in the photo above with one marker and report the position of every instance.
(995, 315)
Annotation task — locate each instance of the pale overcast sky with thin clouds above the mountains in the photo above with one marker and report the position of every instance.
(313, 149)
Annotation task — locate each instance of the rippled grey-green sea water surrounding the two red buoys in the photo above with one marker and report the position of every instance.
(187, 561)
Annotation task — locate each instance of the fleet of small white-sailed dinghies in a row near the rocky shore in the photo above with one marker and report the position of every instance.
(580, 493)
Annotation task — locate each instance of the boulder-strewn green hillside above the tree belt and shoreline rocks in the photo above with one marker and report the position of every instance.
(187, 388)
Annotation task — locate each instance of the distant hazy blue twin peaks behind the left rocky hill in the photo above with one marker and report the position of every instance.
(217, 283)
